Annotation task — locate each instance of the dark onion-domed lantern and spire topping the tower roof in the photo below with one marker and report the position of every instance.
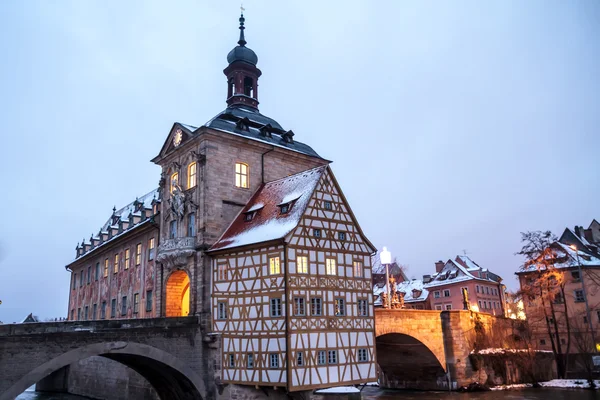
(242, 74)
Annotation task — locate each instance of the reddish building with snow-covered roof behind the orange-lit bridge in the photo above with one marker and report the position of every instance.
(461, 284)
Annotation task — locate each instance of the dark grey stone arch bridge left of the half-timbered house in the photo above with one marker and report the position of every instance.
(168, 352)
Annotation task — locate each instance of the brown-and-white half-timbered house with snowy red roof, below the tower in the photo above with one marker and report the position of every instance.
(292, 288)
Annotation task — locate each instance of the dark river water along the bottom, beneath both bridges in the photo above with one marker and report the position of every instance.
(372, 393)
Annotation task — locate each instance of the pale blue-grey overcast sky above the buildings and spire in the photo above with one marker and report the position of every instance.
(453, 125)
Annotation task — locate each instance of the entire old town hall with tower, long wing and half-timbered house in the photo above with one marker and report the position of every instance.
(250, 231)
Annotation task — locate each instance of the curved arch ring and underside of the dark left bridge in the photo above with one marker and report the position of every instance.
(169, 376)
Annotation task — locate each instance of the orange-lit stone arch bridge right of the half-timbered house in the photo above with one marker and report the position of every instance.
(423, 349)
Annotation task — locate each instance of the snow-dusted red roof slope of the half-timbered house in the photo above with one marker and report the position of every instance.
(268, 223)
